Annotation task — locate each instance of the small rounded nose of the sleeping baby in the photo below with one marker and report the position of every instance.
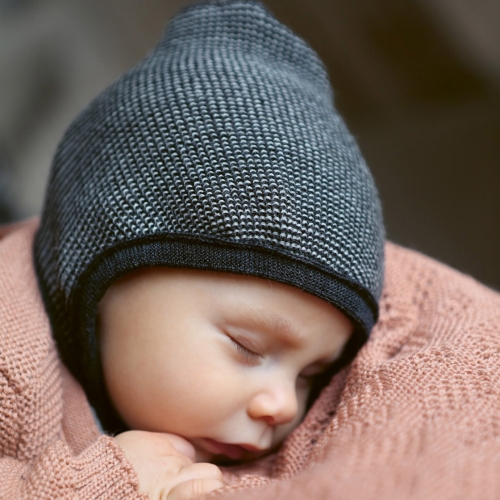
(275, 404)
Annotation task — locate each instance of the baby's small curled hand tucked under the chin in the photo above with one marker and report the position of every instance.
(165, 466)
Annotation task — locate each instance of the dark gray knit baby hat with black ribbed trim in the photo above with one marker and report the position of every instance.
(222, 150)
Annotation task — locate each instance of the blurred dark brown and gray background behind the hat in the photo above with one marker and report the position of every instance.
(418, 82)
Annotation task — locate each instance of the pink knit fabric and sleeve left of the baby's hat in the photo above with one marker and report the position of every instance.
(49, 444)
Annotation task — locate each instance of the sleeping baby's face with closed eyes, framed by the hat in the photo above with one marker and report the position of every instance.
(224, 361)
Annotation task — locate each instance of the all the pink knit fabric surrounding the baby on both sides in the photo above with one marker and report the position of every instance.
(416, 416)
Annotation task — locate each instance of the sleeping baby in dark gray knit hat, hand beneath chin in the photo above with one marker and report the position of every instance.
(210, 251)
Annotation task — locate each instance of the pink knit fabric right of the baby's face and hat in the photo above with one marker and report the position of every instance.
(417, 413)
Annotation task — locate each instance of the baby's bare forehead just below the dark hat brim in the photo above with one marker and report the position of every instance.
(241, 302)
